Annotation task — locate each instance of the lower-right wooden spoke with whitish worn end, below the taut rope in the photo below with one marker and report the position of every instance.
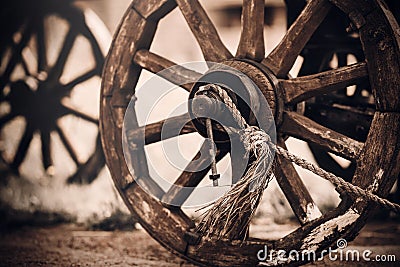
(294, 189)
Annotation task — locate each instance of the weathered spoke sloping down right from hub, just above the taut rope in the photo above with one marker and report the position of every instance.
(303, 128)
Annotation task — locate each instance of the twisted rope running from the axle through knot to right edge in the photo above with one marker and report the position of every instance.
(255, 136)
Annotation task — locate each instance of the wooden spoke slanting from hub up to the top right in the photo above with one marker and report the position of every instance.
(282, 58)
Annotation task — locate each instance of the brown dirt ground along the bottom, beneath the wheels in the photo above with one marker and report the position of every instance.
(72, 245)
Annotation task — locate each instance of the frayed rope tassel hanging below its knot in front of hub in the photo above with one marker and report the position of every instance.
(231, 214)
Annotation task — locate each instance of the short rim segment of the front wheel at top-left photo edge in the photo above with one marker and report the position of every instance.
(153, 9)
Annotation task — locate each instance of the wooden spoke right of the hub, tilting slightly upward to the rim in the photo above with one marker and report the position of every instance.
(302, 88)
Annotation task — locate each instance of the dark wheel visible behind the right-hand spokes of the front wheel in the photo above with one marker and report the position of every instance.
(348, 111)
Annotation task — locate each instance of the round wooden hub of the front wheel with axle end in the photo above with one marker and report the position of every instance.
(252, 87)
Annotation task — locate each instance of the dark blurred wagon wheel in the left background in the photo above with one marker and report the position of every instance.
(41, 90)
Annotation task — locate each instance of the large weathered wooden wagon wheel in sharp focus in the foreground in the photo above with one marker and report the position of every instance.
(376, 157)
